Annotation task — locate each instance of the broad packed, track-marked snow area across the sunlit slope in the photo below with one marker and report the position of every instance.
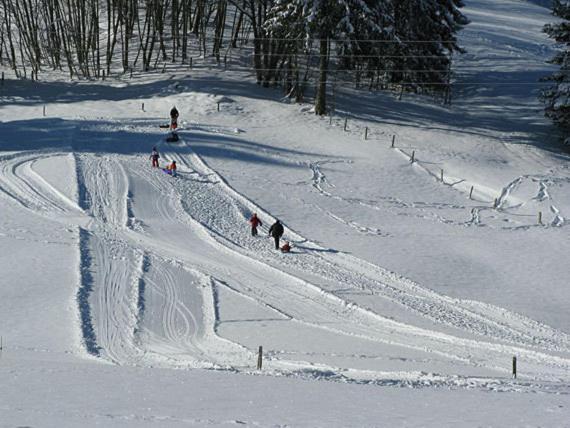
(152, 291)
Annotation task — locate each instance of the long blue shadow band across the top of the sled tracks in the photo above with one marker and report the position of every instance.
(136, 137)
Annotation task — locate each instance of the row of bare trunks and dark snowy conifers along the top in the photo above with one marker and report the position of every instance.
(404, 45)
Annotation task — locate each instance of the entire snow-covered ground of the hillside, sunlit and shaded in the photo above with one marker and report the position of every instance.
(129, 297)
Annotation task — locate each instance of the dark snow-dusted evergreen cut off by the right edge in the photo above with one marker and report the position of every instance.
(557, 97)
